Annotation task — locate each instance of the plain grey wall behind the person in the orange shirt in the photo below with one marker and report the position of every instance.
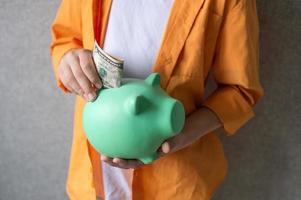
(36, 118)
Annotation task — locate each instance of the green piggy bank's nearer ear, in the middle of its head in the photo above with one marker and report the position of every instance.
(136, 104)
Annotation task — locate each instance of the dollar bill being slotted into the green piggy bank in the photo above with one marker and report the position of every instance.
(109, 68)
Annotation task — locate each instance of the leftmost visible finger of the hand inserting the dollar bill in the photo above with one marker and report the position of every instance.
(69, 80)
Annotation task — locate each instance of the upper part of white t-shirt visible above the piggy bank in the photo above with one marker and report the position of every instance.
(134, 33)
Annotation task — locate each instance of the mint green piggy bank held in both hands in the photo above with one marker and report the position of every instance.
(132, 121)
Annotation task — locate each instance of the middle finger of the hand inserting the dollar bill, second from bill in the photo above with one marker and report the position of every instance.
(81, 78)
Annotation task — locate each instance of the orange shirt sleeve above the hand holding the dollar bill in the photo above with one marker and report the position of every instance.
(66, 34)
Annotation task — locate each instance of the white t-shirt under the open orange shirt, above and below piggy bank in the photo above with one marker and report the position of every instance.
(134, 33)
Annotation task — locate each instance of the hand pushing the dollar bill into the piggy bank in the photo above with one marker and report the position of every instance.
(78, 73)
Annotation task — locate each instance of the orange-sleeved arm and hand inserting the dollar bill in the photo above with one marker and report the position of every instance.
(73, 66)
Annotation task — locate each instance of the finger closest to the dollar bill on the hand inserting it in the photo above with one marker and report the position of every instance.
(89, 68)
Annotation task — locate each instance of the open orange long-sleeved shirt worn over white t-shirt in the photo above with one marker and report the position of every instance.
(221, 36)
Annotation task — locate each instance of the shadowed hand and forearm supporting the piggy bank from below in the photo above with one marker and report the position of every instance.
(199, 123)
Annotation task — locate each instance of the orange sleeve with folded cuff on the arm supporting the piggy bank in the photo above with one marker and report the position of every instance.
(236, 67)
